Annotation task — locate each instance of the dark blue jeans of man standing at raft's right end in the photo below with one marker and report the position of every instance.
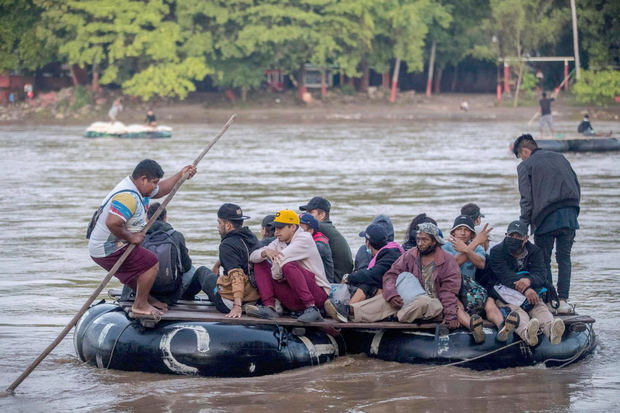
(563, 239)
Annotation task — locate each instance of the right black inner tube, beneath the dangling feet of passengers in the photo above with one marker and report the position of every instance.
(458, 347)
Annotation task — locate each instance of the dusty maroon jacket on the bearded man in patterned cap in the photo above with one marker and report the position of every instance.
(446, 274)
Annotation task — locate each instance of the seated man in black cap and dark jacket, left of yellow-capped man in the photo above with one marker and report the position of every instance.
(229, 291)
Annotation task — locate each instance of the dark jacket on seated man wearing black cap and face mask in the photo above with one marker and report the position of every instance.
(504, 266)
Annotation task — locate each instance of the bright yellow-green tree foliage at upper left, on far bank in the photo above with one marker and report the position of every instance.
(136, 44)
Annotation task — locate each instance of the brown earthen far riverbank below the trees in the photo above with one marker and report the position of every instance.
(284, 107)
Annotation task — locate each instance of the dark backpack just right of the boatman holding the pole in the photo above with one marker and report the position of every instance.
(170, 275)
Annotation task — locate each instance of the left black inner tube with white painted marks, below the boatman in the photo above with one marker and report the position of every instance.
(107, 338)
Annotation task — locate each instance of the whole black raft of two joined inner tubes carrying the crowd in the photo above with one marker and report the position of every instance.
(193, 338)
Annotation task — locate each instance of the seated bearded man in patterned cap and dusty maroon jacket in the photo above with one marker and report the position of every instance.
(421, 285)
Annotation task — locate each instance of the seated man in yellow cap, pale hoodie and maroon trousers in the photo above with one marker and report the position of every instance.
(291, 270)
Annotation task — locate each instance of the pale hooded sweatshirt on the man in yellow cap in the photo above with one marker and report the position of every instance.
(301, 249)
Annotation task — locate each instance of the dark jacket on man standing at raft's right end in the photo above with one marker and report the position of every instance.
(547, 182)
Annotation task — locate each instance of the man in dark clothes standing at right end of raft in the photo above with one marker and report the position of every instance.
(550, 196)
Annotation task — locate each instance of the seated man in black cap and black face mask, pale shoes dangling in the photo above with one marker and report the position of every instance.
(520, 265)
